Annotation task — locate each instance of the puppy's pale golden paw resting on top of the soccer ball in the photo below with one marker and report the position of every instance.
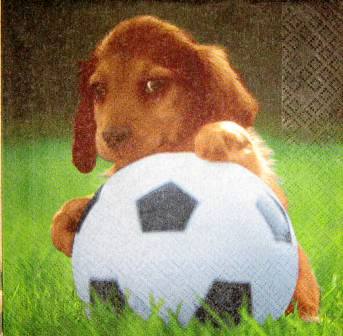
(227, 141)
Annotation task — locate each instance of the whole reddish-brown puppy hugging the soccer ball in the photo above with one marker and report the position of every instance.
(150, 87)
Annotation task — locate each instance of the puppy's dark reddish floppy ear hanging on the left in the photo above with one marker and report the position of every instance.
(84, 147)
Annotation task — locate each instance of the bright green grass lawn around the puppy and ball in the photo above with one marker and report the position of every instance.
(40, 298)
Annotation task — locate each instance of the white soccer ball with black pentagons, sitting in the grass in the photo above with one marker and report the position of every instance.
(199, 235)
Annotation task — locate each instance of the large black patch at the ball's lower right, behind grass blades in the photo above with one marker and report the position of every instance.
(225, 298)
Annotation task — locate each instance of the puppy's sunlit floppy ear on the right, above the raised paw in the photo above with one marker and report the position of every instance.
(225, 97)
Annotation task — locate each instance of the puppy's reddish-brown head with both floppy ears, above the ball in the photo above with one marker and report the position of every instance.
(148, 88)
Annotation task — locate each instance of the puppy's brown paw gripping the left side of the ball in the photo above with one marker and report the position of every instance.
(65, 224)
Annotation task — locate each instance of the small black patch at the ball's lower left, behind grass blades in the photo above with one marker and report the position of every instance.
(108, 292)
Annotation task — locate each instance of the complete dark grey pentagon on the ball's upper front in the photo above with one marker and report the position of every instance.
(167, 208)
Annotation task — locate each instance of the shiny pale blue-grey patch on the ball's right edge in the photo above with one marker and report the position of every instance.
(275, 217)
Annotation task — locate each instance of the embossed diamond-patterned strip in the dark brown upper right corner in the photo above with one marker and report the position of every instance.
(312, 71)
